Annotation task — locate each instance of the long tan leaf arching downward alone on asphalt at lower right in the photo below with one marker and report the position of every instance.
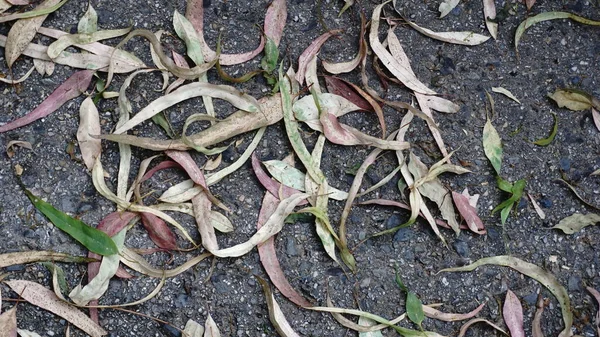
(531, 270)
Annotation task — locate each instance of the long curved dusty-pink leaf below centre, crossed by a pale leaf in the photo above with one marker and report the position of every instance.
(268, 255)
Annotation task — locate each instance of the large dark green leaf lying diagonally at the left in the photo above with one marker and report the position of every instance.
(94, 240)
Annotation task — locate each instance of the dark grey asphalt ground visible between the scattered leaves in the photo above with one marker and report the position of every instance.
(553, 55)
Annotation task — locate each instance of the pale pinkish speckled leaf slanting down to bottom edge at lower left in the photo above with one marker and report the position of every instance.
(44, 298)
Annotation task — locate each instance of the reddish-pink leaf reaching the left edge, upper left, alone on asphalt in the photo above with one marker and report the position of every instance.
(71, 88)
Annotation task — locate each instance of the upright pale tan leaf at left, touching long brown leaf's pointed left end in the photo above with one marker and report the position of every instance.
(89, 124)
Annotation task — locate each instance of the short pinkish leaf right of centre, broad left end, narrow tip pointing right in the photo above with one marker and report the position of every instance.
(342, 134)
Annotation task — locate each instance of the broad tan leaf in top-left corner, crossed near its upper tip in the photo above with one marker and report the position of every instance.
(22, 32)
